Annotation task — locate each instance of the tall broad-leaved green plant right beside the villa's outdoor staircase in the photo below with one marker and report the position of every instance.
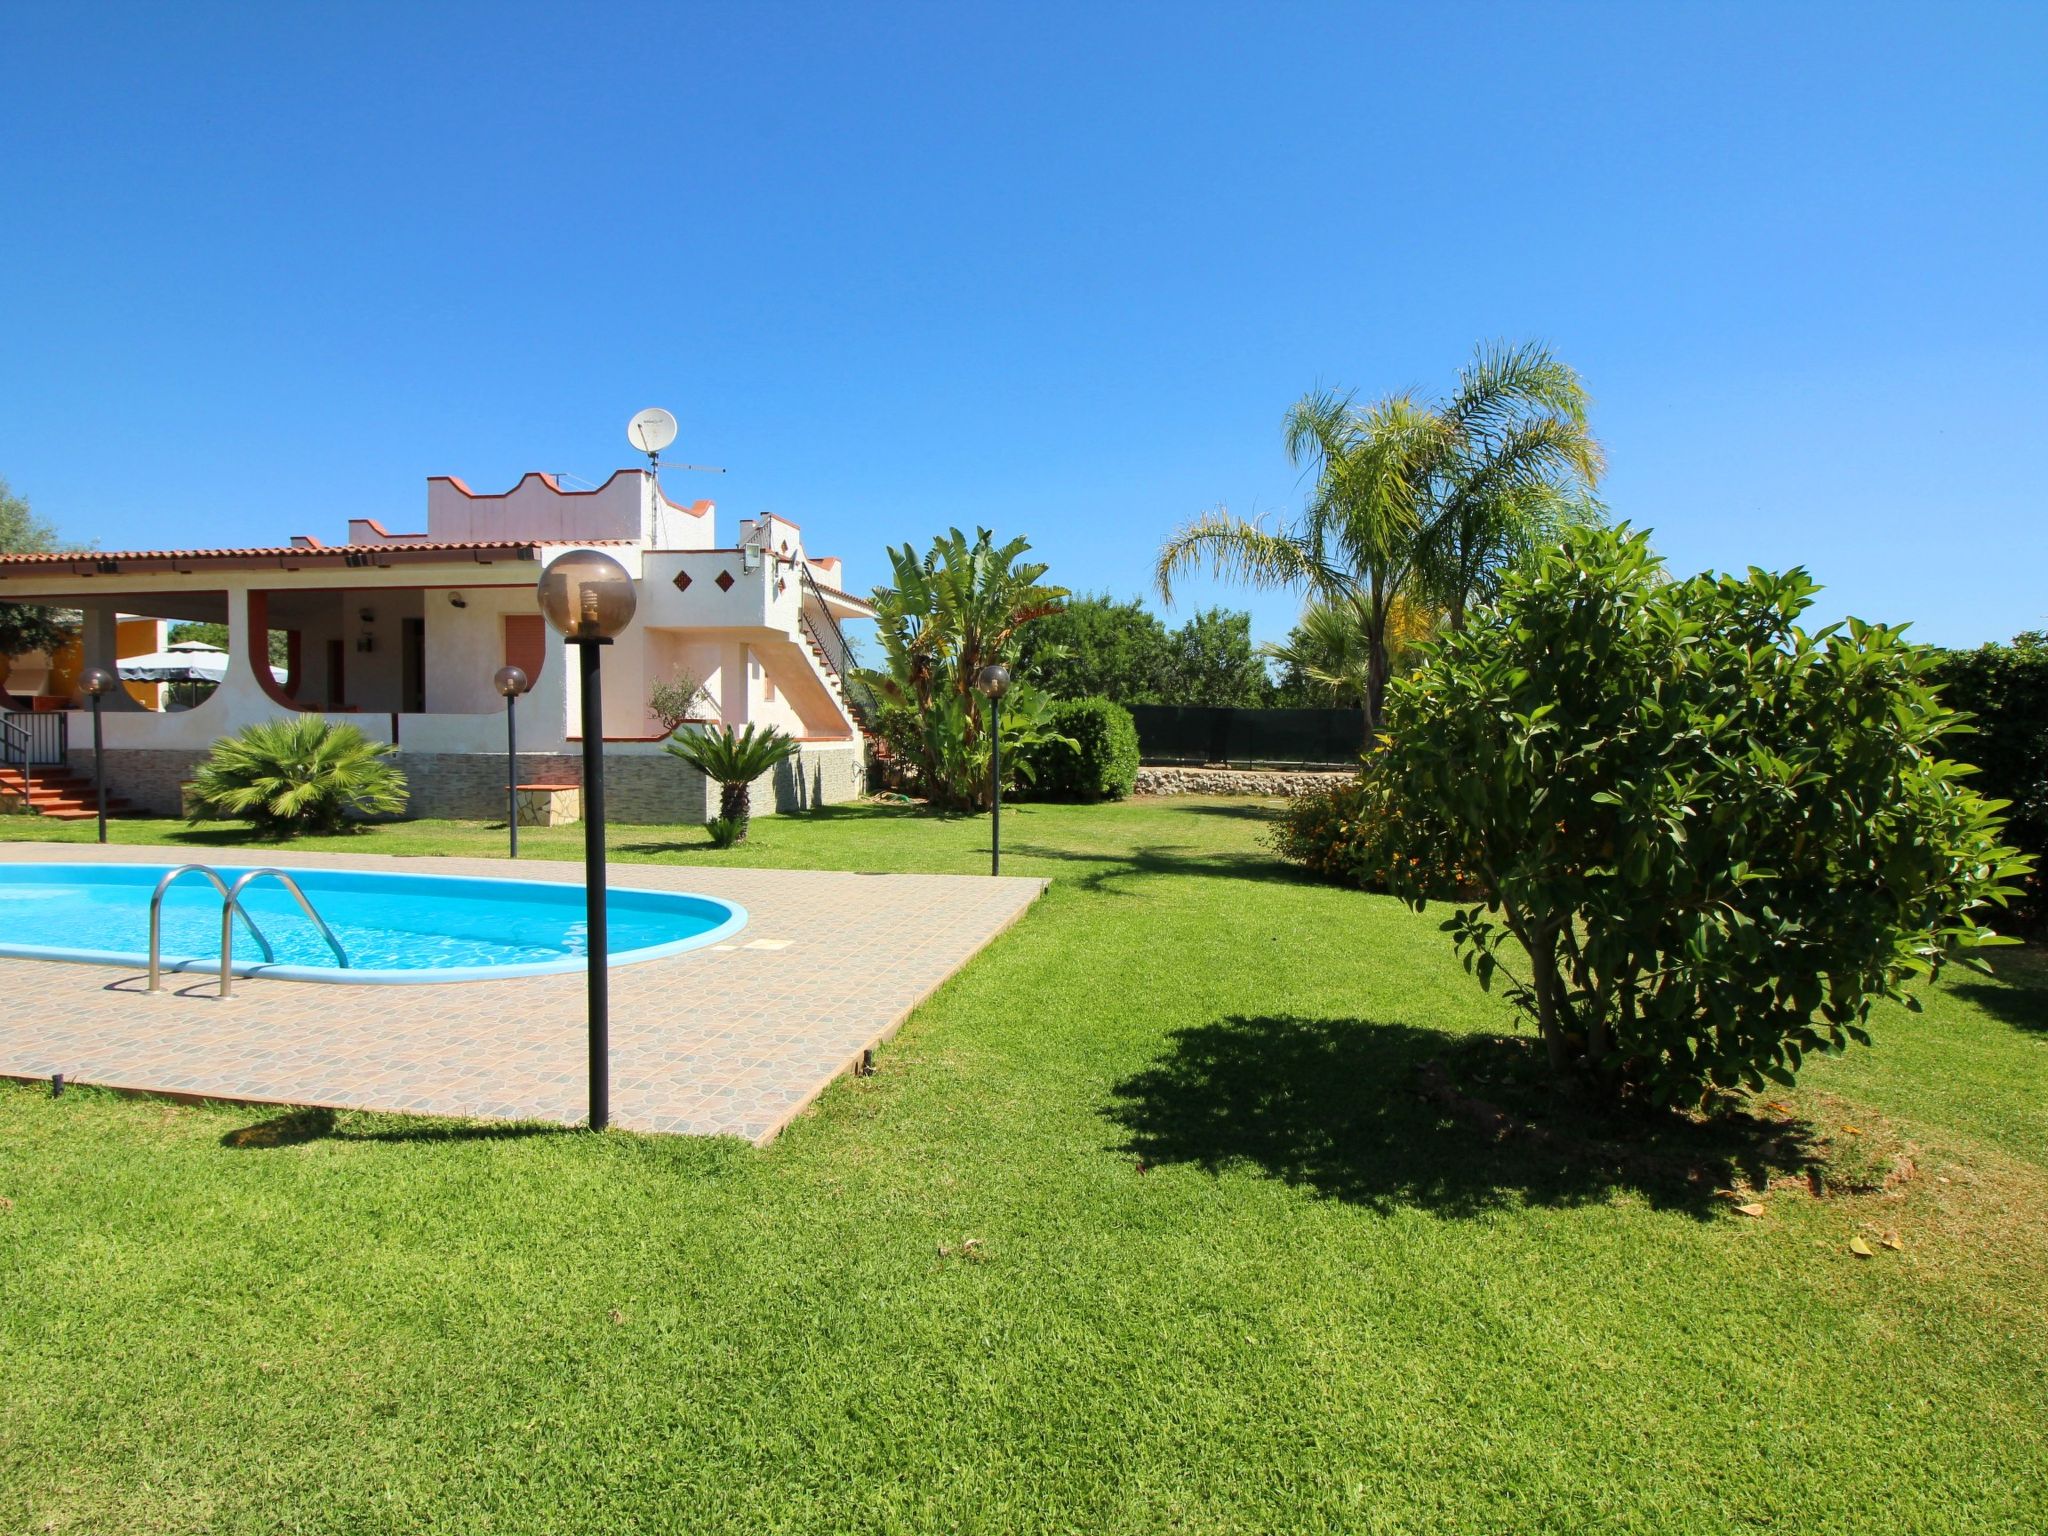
(949, 613)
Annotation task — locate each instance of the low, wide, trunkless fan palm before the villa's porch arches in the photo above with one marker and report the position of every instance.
(298, 775)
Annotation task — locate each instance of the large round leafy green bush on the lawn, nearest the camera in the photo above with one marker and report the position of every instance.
(1709, 841)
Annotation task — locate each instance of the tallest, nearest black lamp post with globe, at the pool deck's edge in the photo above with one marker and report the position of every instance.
(589, 599)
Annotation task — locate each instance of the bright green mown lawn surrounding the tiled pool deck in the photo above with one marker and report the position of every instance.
(1142, 1226)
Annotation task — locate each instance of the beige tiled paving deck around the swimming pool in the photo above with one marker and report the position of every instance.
(722, 1041)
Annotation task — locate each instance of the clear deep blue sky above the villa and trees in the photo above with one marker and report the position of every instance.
(1056, 271)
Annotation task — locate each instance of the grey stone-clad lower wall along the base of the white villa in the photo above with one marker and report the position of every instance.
(642, 787)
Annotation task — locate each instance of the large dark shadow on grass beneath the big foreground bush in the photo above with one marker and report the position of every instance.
(1388, 1117)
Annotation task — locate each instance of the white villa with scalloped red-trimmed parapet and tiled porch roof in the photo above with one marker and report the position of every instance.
(402, 634)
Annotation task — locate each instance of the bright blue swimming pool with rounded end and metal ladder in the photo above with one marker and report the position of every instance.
(392, 927)
